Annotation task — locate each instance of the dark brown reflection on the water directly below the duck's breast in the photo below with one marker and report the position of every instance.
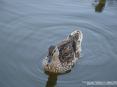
(52, 80)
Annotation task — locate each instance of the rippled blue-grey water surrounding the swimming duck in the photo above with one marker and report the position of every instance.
(29, 27)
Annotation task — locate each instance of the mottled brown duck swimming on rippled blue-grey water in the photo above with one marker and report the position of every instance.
(64, 55)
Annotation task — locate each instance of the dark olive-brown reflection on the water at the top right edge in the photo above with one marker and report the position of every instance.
(100, 5)
